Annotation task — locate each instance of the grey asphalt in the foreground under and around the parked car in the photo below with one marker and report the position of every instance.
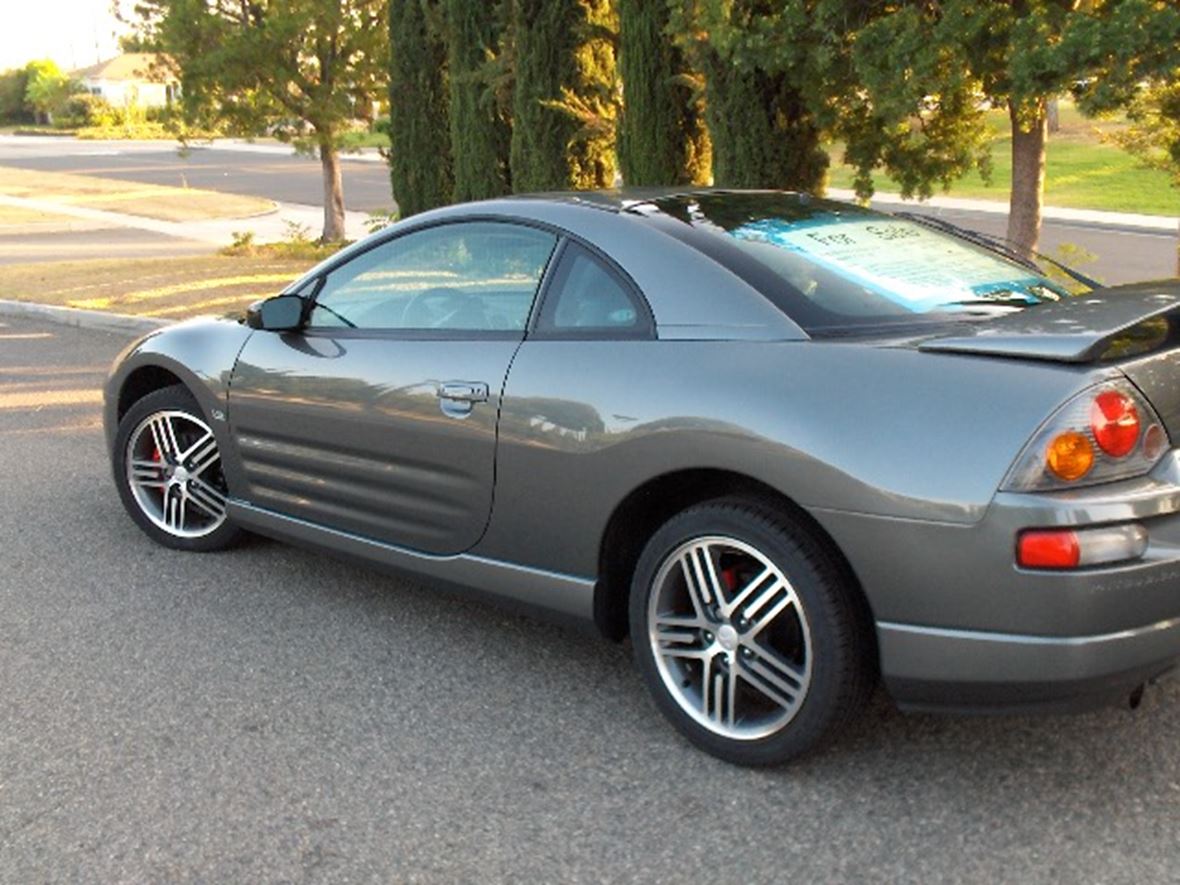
(274, 716)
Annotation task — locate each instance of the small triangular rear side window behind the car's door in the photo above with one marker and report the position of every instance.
(588, 299)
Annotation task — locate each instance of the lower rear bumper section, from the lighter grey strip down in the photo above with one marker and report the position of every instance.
(965, 671)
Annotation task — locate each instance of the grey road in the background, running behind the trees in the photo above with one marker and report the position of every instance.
(1120, 255)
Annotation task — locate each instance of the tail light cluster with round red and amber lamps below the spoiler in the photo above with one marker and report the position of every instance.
(1104, 434)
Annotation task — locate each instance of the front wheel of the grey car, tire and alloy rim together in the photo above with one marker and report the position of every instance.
(167, 468)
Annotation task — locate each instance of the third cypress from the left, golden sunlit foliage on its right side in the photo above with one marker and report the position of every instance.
(565, 95)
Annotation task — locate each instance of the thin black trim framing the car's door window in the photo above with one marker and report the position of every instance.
(344, 332)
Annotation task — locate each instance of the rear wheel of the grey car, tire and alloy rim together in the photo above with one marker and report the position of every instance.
(751, 637)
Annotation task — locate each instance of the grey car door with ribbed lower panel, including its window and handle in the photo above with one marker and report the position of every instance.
(379, 417)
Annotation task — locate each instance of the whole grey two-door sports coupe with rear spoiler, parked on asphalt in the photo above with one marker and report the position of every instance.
(792, 448)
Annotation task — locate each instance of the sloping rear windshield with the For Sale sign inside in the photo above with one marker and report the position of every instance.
(831, 266)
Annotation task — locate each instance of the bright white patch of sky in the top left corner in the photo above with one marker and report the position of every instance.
(75, 34)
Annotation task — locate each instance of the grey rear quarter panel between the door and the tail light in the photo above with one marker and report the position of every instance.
(843, 427)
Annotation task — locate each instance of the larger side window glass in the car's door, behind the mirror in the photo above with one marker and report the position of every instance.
(469, 277)
